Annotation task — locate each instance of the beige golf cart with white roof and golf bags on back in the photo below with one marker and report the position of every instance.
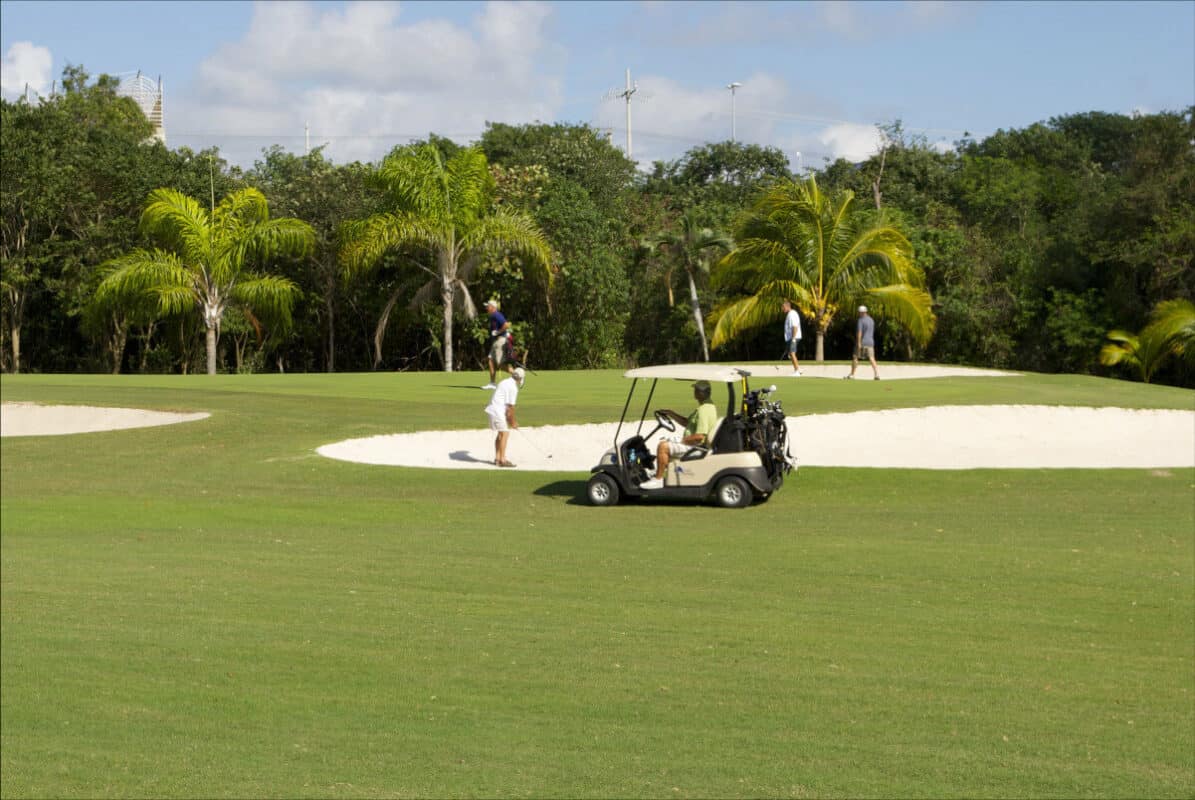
(746, 456)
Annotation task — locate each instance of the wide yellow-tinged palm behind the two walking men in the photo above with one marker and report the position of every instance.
(801, 245)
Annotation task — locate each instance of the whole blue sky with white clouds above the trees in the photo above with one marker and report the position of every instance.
(817, 77)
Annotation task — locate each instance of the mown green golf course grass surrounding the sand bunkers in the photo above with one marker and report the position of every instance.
(213, 610)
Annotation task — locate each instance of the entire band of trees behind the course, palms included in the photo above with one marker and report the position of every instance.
(1064, 247)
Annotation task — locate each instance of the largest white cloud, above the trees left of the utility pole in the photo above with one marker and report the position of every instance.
(366, 82)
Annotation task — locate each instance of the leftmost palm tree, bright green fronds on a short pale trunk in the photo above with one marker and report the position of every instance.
(207, 260)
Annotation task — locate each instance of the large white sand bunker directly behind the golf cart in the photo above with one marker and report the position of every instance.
(942, 438)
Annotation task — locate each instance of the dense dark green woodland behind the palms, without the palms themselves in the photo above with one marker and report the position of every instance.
(1034, 243)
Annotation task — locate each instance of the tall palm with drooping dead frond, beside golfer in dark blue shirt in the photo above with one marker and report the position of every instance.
(440, 210)
